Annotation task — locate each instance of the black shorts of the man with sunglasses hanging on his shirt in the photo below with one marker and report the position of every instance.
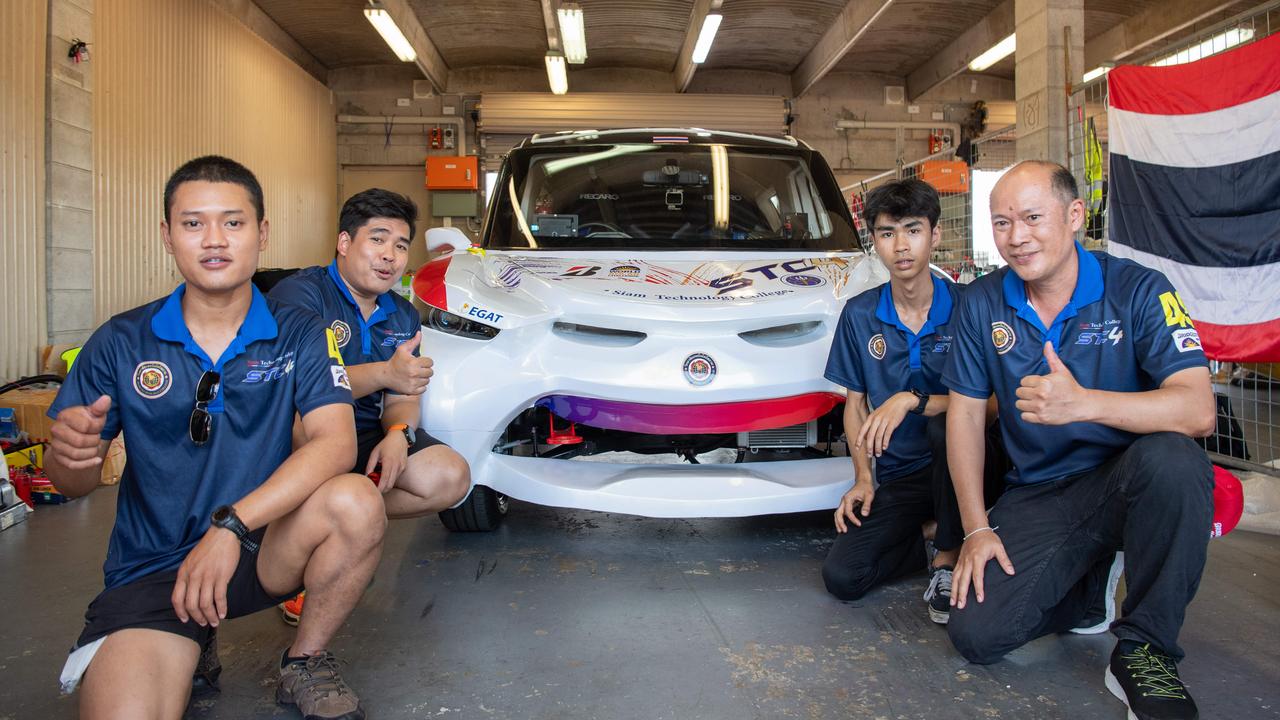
(147, 603)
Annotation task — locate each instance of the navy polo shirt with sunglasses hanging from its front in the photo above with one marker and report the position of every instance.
(147, 361)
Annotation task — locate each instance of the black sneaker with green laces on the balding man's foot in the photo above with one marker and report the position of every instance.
(1146, 680)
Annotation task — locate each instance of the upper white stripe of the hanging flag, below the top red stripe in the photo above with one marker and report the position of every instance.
(1204, 140)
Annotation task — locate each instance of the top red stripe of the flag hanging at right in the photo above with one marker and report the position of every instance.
(1220, 81)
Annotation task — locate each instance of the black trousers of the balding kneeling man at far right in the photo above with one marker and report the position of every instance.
(1155, 502)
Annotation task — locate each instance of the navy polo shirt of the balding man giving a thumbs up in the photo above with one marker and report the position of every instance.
(1126, 330)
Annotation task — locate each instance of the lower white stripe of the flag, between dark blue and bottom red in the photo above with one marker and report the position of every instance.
(1224, 297)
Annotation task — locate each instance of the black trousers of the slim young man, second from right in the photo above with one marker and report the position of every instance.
(889, 544)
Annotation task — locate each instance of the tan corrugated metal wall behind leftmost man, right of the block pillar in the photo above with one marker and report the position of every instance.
(181, 79)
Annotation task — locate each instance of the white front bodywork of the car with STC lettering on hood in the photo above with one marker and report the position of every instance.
(481, 386)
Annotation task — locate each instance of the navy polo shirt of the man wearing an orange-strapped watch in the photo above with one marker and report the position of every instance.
(395, 321)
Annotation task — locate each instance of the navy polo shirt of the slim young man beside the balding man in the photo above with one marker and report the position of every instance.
(874, 353)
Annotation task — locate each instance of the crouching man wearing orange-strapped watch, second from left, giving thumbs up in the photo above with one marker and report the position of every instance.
(378, 334)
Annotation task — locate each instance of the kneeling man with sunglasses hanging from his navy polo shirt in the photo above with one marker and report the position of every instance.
(217, 516)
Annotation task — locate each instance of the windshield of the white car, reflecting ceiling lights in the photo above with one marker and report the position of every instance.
(669, 197)
